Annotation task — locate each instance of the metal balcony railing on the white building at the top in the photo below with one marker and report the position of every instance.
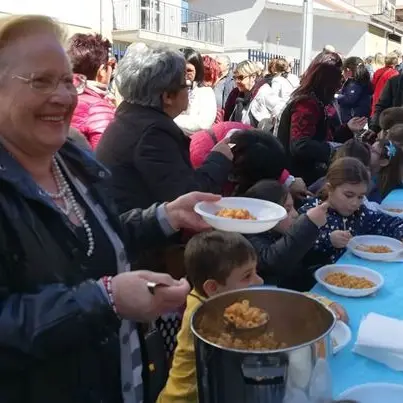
(167, 19)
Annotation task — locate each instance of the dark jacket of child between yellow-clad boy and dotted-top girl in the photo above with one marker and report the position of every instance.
(280, 257)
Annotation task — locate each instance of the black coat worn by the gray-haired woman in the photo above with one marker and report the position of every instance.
(148, 155)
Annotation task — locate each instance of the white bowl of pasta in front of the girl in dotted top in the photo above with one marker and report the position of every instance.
(375, 247)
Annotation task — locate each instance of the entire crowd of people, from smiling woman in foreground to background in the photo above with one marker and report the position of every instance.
(101, 165)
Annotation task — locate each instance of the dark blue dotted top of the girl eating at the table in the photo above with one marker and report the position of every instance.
(362, 222)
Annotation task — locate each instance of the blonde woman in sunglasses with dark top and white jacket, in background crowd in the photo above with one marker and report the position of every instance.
(253, 99)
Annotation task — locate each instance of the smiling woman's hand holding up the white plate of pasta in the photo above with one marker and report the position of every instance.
(180, 212)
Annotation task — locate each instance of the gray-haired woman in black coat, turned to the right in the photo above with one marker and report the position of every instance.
(147, 153)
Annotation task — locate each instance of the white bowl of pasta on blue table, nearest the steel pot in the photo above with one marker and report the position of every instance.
(349, 280)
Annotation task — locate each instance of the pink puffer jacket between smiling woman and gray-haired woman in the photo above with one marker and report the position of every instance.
(93, 114)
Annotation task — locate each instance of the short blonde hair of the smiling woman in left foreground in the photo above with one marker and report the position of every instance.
(15, 27)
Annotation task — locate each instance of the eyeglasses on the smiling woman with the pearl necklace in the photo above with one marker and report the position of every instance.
(47, 84)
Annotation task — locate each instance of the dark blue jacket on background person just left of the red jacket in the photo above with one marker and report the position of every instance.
(354, 100)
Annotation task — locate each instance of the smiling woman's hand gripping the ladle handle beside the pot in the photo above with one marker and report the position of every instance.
(134, 301)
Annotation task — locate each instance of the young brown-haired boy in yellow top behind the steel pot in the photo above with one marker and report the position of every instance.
(215, 262)
